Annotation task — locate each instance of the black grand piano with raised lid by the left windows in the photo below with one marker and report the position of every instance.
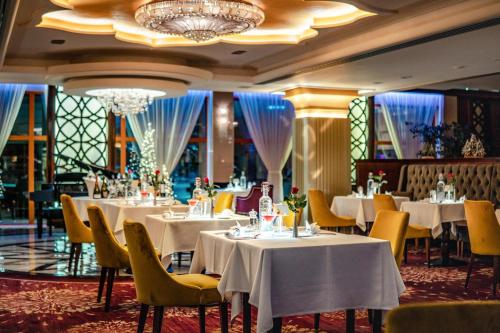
(70, 183)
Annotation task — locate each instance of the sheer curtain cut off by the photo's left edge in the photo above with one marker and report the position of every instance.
(11, 97)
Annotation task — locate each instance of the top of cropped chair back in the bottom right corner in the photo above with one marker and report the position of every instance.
(456, 317)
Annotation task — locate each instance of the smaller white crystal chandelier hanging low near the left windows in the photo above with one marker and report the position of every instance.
(123, 101)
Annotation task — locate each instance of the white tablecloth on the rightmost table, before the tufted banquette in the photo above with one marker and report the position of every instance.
(432, 215)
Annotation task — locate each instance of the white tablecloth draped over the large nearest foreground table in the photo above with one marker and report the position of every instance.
(301, 276)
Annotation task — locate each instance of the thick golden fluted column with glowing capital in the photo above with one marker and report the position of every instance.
(321, 141)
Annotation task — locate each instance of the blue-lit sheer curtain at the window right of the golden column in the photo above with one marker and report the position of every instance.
(401, 111)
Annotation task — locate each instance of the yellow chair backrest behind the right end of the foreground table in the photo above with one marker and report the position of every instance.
(392, 226)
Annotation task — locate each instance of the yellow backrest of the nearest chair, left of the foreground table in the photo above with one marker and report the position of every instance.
(153, 284)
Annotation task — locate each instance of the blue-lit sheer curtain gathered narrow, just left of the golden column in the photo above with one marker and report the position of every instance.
(269, 119)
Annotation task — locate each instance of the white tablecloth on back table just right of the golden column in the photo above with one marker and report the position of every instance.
(361, 209)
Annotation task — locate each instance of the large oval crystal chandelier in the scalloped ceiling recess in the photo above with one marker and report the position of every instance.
(199, 20)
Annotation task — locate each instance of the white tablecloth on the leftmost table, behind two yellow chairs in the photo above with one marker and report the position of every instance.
(117, 211)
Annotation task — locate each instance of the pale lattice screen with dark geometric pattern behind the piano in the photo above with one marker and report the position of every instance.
(81, 131)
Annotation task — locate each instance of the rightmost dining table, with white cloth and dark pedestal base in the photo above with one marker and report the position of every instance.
(442, 218)
